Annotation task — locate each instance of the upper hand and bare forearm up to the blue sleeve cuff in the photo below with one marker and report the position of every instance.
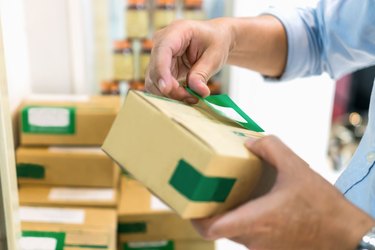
(195, 50)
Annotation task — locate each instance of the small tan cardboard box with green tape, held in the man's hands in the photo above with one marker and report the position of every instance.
(190, 157)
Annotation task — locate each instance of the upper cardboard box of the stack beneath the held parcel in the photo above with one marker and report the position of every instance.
(142, 216)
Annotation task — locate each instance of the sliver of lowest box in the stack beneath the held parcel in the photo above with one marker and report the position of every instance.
(168, 245)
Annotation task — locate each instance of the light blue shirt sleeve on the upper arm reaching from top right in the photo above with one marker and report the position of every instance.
(336, 37)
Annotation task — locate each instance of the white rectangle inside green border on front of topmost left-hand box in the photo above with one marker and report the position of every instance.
(48, 117)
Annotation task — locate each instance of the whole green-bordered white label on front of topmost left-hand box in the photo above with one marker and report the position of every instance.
(48, 120)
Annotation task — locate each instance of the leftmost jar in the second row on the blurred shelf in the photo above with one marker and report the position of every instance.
(123, 61)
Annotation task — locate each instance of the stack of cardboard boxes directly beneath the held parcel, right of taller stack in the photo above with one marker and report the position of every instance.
(145, 222)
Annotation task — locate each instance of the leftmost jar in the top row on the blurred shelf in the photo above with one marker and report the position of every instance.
(137, 19)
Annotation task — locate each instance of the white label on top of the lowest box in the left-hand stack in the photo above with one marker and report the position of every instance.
(52, 215)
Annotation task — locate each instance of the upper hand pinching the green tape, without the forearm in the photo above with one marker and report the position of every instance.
(188, 50)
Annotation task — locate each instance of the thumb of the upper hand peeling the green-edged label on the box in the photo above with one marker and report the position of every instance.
(207, 65)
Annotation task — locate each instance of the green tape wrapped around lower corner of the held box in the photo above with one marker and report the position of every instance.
(196, 187)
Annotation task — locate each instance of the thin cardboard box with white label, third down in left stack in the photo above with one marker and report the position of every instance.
(39, 195)
